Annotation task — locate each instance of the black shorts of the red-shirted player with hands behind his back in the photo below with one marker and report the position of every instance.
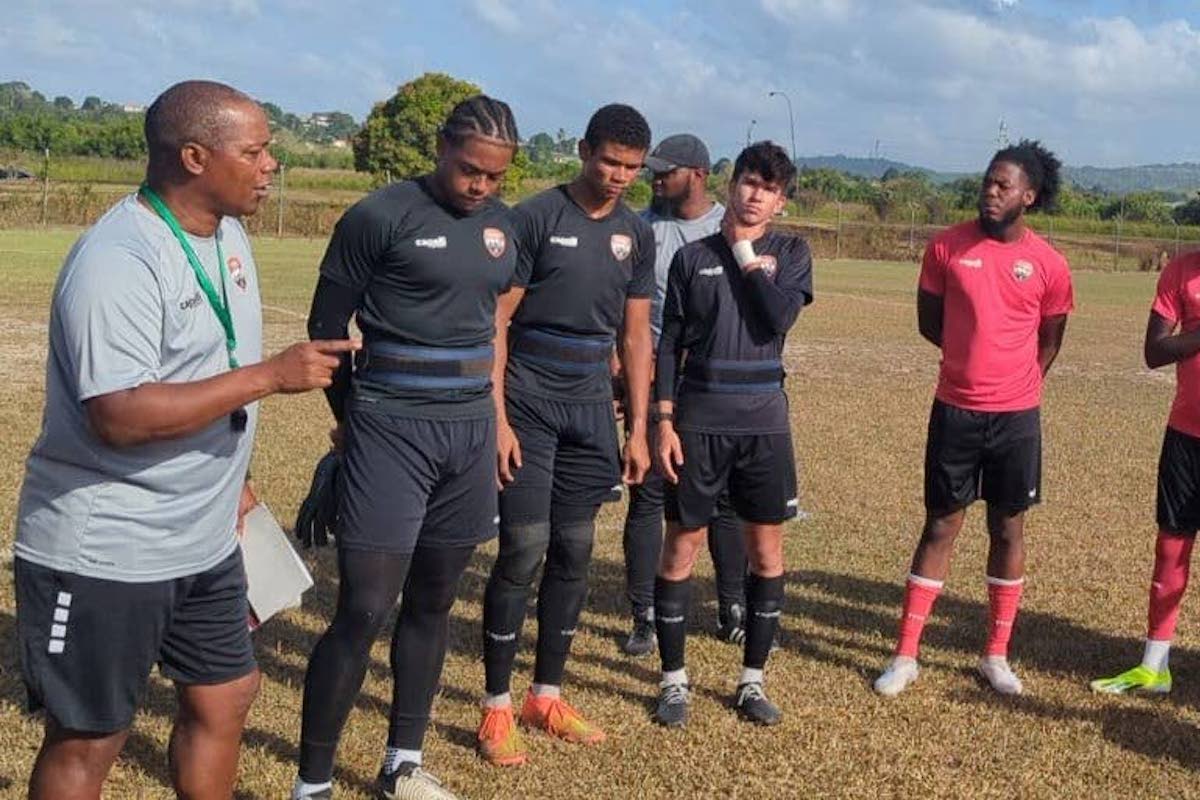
(995, 456)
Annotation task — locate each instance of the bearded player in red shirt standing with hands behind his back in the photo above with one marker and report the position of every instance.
(994, 297)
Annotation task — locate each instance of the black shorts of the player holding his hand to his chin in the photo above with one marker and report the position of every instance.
(759, 471)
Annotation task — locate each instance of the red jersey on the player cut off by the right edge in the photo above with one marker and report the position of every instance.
(1178, 302)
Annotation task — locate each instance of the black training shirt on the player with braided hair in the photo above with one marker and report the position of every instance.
(427, 275)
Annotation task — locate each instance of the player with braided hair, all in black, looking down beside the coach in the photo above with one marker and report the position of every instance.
(421, 264)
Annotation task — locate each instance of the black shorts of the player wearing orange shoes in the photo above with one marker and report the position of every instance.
(569, 456)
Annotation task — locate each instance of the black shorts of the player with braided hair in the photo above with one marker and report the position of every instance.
(407, 479)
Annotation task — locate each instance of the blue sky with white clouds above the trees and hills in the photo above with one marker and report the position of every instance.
(926, 82)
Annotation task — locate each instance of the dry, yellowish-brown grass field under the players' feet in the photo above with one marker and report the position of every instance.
(861, 383)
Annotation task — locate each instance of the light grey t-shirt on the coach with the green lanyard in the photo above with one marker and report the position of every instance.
(128, 311)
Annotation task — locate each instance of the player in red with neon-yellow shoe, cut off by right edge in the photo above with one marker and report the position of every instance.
(1173, 335)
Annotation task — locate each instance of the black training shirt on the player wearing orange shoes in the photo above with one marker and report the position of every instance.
(578, 274)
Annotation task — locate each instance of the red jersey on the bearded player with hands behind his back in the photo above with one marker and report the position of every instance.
(994, 298)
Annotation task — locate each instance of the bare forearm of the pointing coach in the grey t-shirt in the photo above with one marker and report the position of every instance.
(161, 412)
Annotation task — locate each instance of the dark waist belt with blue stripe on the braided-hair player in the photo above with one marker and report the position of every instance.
(424, 368)
